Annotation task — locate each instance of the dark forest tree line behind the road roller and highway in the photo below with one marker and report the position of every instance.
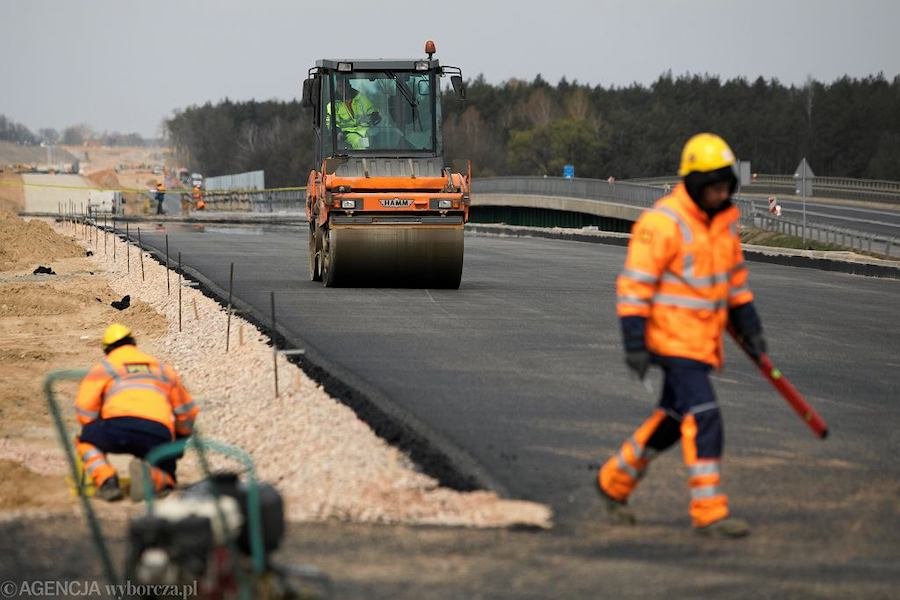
(849, 127)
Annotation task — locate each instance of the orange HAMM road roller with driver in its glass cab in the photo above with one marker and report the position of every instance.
(383, 207)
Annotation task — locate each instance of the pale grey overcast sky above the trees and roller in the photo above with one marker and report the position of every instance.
(125, 65)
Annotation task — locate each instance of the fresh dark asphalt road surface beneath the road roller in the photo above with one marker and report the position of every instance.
(520, 370)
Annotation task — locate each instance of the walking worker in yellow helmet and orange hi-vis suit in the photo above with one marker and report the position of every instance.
(684, 280)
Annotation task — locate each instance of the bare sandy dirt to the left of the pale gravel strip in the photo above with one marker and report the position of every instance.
(47, 322)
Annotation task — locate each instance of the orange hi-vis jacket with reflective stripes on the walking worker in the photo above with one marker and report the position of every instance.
(683, 272)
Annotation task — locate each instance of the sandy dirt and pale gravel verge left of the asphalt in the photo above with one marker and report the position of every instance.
(326, 463)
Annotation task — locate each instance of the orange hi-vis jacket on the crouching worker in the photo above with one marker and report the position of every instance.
(130, 383)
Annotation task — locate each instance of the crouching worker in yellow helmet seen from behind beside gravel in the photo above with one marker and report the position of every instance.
(130, 403)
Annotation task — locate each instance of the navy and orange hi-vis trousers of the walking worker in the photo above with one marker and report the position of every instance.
(687, 411)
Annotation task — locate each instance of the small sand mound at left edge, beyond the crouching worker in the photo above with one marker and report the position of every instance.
(30, 243)
